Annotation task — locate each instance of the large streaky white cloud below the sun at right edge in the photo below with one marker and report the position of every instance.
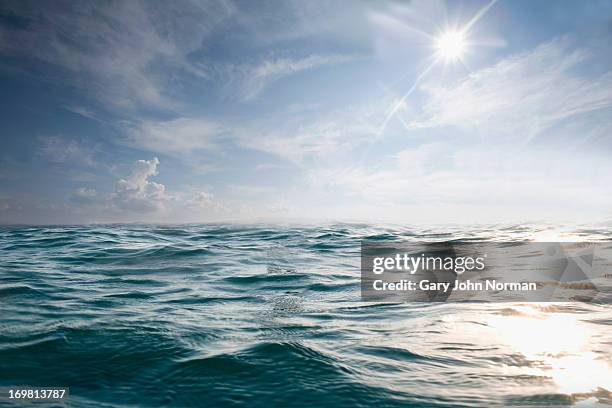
(520, 97)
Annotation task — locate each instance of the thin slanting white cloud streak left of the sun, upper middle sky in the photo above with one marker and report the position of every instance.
(256, 78)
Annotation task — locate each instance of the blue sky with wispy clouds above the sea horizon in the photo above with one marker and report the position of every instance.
(276, 111)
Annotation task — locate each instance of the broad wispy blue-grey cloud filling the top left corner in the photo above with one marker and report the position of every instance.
(113, 50)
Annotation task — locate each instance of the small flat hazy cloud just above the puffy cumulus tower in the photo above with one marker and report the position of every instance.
(177, 136)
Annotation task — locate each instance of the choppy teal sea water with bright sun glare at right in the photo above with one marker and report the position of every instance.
(214, 315)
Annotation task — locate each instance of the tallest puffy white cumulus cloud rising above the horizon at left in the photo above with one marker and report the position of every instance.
(137, 193)
